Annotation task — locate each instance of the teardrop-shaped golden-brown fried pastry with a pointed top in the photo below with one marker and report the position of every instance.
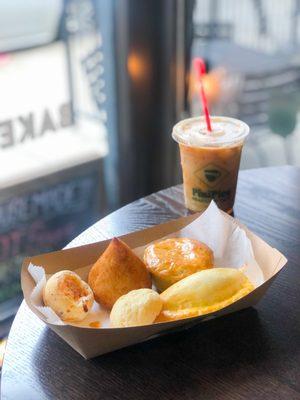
(117, 272)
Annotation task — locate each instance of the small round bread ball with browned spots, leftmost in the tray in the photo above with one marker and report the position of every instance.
(68, 295)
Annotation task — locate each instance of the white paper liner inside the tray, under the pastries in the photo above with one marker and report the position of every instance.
(229, 242)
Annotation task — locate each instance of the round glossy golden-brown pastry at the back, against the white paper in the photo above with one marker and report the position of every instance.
(171, 260)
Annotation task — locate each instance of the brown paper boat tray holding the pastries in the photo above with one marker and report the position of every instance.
(90, 342)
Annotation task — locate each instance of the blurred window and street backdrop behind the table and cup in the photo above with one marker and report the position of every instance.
(90, 90)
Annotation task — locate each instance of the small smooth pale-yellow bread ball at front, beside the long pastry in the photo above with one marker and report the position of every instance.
(138, 307)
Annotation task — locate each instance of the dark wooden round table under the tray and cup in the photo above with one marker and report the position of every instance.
(253, 354)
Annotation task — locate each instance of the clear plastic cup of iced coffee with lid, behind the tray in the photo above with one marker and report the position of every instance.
(210, 160)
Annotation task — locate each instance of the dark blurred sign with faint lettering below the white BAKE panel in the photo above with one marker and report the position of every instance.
(45, 215)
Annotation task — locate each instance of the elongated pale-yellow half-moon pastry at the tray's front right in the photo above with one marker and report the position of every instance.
(204, 292)
